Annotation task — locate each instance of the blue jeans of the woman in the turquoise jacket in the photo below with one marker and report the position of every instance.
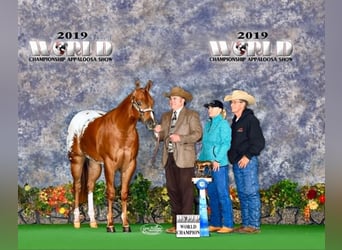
(219, 199)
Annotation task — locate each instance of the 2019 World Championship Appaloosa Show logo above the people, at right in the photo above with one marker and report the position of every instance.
(253, 47)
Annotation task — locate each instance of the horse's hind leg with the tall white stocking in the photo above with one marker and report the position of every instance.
(94, 174)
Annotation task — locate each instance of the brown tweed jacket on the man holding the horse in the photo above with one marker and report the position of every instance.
(189, 128)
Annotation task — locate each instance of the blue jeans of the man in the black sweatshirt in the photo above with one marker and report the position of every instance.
(247, 185)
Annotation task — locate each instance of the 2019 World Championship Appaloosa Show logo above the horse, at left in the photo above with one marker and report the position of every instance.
(72, 47)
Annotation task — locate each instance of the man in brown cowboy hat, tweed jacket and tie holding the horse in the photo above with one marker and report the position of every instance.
(180, 129)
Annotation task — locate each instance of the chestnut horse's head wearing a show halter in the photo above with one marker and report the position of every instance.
(143, 103)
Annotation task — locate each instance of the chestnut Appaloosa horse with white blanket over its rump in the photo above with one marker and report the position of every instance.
(97, 139)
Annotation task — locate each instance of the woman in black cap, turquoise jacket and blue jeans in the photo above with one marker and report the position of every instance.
(215, 145)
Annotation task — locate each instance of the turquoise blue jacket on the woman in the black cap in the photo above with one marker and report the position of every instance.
(216, 140)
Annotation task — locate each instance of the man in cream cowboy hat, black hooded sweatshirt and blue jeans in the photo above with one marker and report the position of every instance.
(247, 143)
